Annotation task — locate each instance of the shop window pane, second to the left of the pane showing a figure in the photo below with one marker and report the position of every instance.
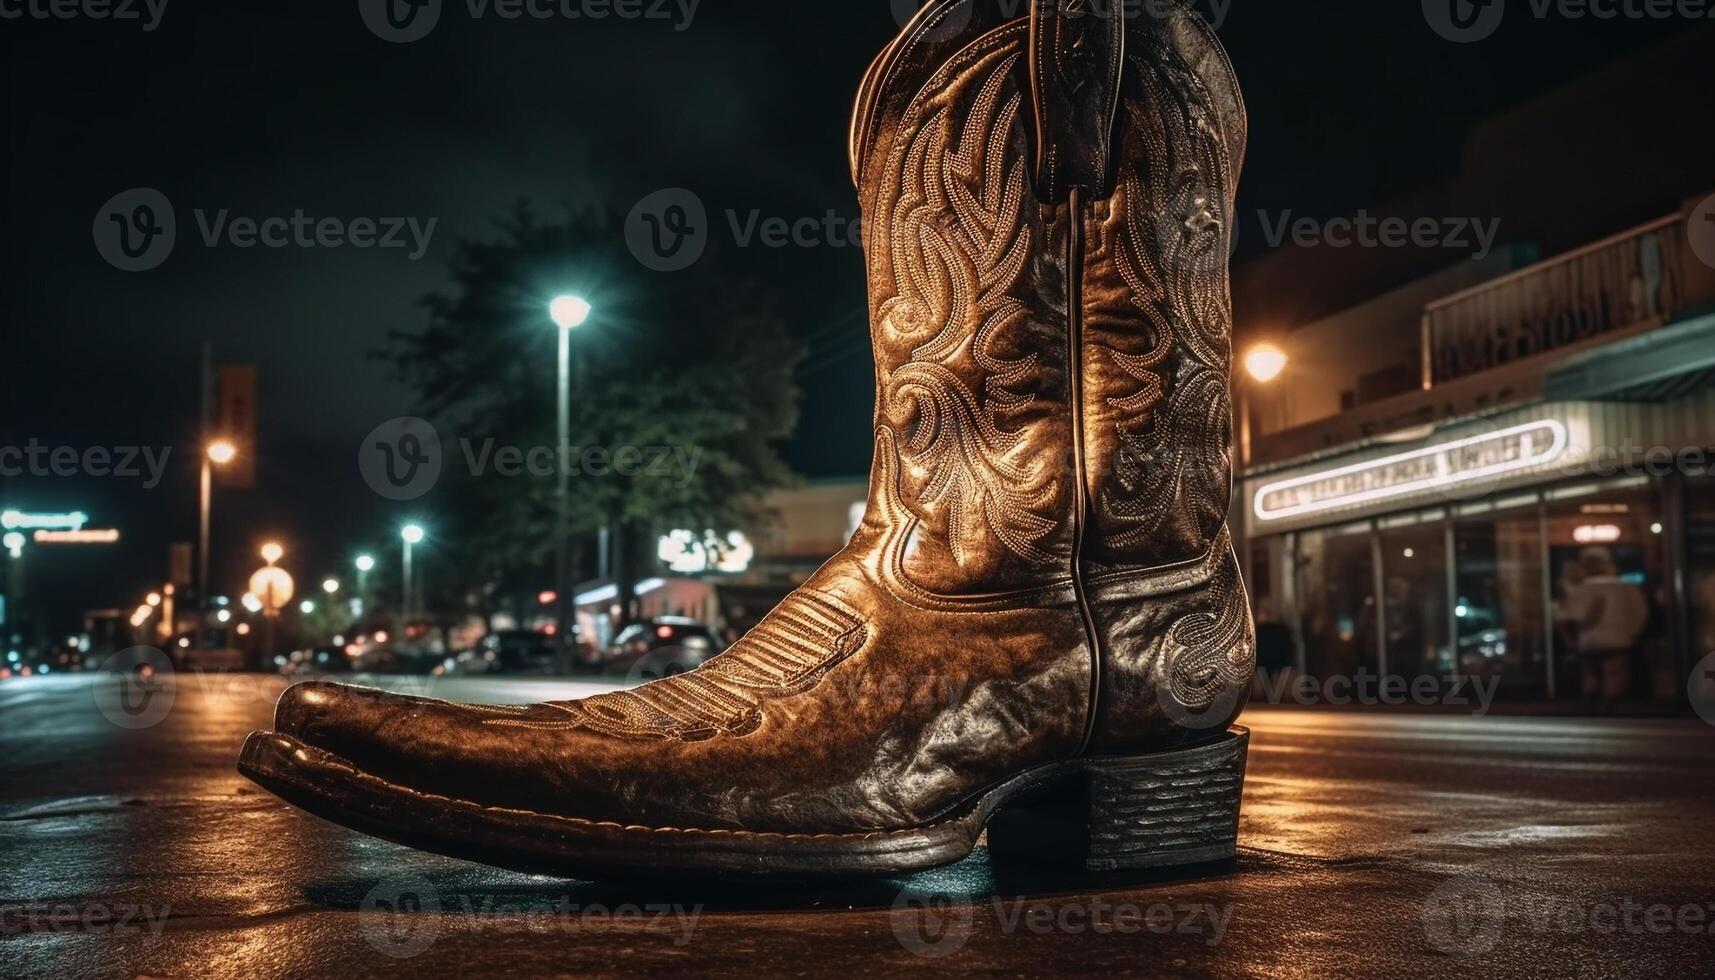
(1416, 600)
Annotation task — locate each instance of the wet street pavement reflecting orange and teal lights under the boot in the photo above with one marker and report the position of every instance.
(1373, 844)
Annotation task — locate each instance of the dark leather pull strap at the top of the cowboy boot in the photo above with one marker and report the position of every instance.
(1078, 54)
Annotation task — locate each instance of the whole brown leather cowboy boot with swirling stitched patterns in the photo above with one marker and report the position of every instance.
(1038, 626)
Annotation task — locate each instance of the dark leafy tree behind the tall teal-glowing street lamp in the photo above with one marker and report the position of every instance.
(683, 389)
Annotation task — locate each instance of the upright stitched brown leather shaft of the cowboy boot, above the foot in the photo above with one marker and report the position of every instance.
(1047, 214)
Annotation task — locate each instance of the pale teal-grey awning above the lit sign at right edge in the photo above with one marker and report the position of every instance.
(1658, 366)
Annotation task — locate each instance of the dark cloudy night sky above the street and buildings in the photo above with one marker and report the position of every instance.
(272, 109)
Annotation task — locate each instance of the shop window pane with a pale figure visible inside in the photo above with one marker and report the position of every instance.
(1611, 596)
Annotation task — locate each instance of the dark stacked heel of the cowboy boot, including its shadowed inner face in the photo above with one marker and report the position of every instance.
(1133, 813)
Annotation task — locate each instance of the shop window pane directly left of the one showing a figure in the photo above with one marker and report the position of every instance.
(1500, 617)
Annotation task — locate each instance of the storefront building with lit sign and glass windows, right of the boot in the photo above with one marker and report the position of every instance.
(1541, 504)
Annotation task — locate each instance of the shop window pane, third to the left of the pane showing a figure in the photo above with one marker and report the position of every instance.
(1337, 586)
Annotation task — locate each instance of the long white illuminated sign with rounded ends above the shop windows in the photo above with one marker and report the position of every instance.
(1441, 468)
